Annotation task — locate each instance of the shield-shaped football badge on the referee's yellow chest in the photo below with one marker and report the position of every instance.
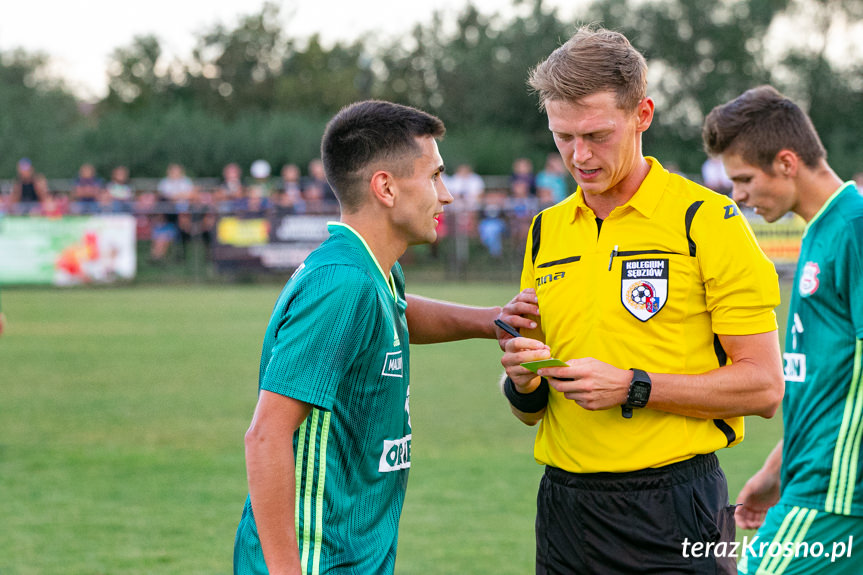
(644, 287)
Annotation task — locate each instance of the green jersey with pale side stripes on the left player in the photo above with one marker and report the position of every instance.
(338, 340)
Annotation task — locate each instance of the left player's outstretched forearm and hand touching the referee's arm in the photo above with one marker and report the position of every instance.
(435, 321)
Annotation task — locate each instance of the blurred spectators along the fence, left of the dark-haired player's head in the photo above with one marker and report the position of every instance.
(174, 209)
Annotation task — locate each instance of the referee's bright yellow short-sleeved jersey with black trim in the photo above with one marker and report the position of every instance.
(669, 270)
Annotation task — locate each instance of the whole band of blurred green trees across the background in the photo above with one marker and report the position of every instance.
(252, 92)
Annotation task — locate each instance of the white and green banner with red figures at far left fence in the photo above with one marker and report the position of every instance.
(67, 251)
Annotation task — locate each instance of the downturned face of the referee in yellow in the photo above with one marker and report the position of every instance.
(600, 143)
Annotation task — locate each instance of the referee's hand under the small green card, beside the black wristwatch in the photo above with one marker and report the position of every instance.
(591, 383)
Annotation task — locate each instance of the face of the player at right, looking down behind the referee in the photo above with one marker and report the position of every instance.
(770, 195)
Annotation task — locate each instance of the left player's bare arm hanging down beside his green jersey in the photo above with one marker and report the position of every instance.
(270, 470)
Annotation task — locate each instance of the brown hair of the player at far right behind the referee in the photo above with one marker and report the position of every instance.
(757, 125)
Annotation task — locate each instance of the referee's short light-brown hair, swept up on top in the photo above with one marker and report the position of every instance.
(592, 61)
